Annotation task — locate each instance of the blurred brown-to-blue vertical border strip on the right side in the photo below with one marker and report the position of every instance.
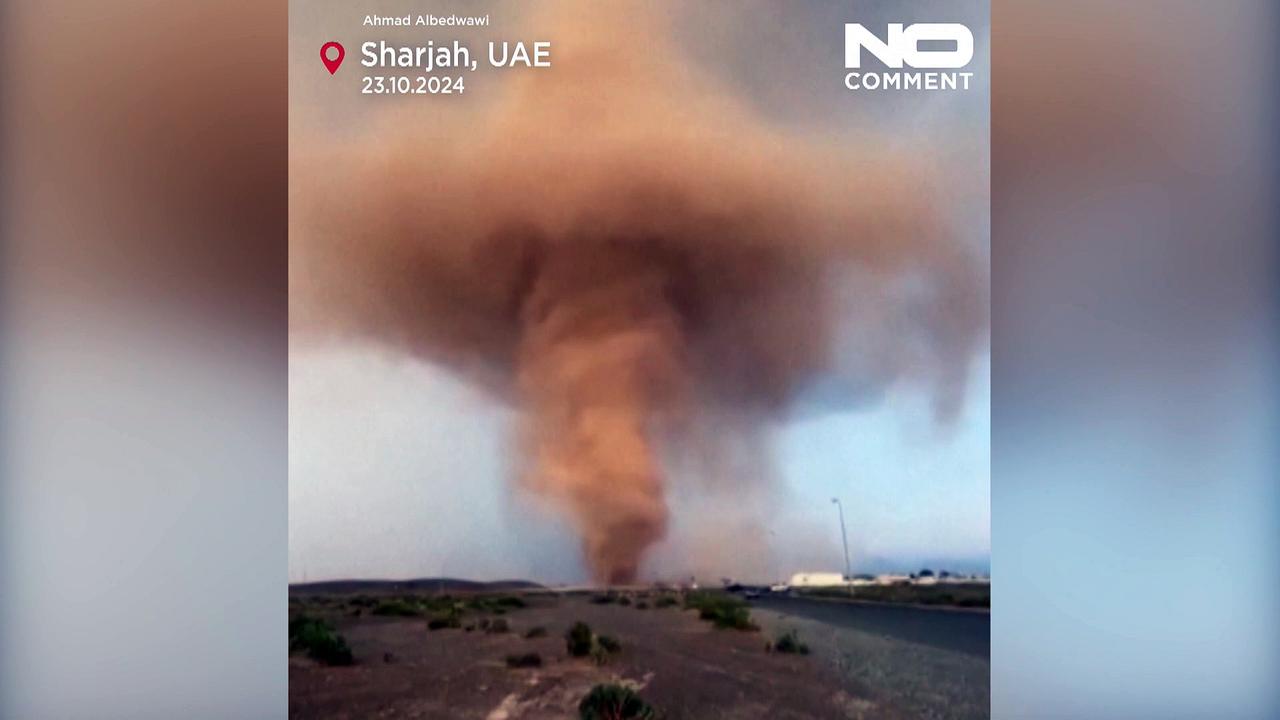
(1136, 512)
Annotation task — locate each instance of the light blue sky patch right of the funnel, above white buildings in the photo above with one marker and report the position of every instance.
(916, 494)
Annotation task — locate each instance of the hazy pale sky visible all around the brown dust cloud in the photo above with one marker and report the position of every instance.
(399, 470)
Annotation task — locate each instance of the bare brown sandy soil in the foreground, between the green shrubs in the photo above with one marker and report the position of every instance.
(679, 664)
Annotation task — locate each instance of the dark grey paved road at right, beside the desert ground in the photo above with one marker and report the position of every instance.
(950, 630)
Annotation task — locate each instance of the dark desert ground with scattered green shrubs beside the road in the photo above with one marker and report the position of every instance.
(470, 655)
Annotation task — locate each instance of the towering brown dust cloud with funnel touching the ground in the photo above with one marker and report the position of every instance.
(625, 254)
